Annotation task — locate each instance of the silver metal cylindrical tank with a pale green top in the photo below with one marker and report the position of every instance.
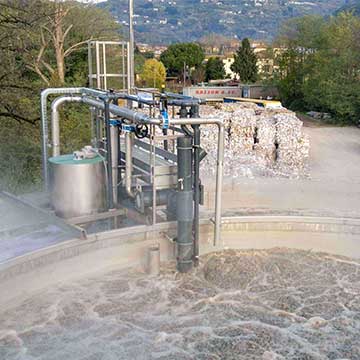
(77, 186)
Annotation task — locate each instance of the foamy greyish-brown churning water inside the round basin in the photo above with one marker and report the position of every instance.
(271, 304)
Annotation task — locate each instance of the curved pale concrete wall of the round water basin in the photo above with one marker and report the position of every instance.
(128, 247)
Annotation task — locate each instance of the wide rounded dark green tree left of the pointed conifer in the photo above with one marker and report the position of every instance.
(178, 55)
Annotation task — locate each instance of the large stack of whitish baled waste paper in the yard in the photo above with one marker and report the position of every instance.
(258, 141)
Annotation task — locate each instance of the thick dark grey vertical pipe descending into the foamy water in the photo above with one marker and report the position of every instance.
(184, 201)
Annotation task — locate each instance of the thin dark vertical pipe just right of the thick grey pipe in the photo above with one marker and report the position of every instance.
(194, 113)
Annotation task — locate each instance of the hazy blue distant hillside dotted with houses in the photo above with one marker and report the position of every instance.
(167, 21)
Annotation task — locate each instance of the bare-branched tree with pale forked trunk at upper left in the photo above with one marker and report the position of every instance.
(66, 28)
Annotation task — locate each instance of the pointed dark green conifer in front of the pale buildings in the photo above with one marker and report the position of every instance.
(245, 63)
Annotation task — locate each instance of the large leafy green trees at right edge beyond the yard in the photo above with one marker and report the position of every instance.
(320, 66)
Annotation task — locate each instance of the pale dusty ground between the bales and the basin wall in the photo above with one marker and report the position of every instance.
(333, 187)
